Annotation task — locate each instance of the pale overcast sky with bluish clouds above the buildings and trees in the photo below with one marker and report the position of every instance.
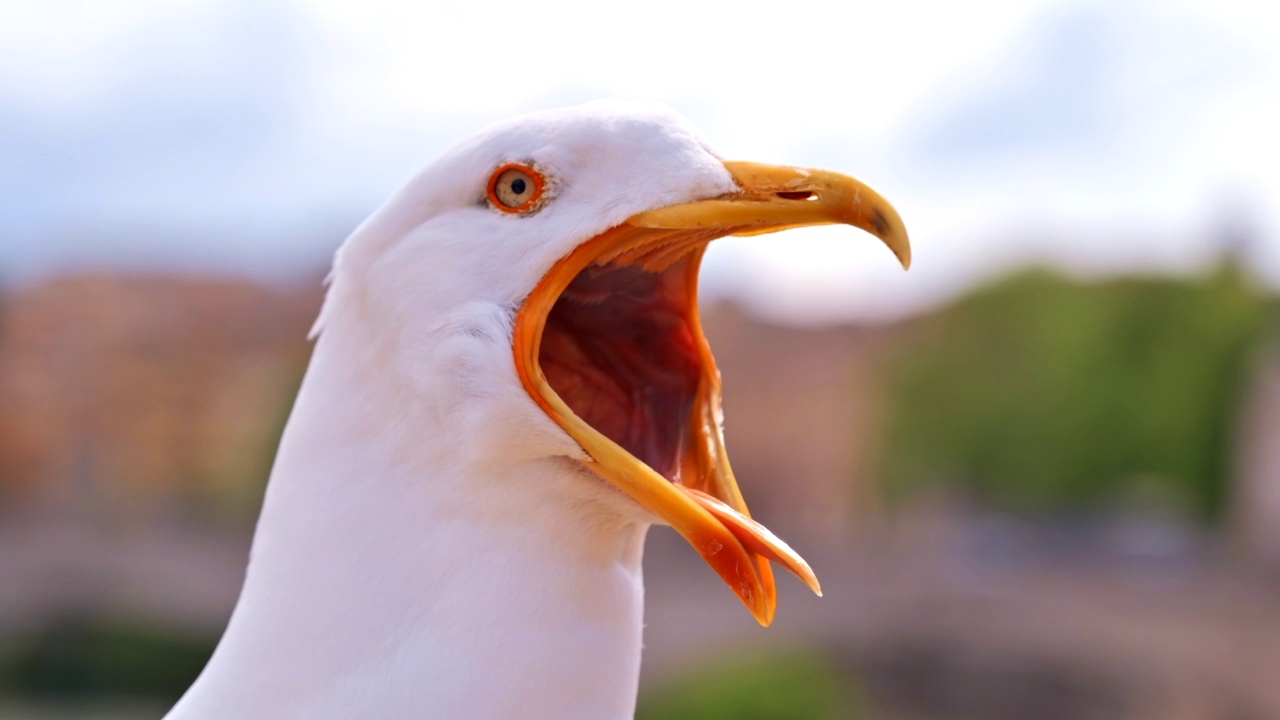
(241, 136)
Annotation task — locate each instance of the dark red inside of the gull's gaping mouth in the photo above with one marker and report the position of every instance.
(620, 349)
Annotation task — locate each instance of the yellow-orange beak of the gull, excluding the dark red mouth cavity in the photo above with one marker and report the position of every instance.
(707, 507)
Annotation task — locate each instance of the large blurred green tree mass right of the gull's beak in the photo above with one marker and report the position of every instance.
(1041, 393)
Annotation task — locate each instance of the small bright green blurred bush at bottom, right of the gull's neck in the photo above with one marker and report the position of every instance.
(793, 686)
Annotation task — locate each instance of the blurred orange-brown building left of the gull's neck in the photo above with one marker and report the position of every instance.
(127, 398)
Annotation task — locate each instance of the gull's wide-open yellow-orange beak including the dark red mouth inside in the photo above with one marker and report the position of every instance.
(611, 347)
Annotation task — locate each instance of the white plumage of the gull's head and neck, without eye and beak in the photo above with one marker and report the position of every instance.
(429, 546)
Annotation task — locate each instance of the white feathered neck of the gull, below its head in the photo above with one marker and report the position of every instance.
(394, 576)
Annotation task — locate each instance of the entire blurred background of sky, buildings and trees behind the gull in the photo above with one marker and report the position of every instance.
(1039, 475)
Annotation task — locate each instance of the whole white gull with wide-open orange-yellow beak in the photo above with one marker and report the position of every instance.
(510, 385)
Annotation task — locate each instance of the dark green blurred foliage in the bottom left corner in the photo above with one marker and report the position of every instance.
(95, 659)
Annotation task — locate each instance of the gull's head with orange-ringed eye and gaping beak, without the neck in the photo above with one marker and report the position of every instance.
(548, 268)
